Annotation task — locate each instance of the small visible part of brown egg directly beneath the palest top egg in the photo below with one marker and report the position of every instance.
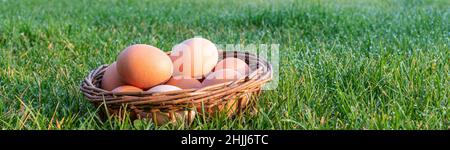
(184, 82)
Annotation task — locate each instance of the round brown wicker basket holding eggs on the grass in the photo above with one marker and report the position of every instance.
(183, 105)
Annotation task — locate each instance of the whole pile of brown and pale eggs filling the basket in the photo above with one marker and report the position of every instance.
(192, 64)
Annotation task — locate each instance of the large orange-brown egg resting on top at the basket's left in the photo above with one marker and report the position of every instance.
(144, 66)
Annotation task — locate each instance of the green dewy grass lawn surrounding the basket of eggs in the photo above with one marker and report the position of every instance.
(345, 64)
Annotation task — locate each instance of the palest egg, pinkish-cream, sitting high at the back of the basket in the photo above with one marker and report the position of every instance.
(194, 57)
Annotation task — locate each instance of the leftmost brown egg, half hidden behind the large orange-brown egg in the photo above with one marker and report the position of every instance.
(111, 78)
